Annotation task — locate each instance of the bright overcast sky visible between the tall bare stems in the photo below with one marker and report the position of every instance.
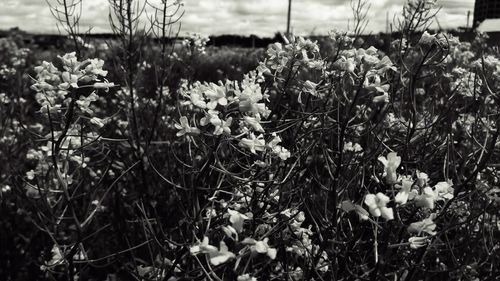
(260, 17)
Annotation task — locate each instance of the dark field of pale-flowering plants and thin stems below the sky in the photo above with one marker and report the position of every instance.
(141, 159)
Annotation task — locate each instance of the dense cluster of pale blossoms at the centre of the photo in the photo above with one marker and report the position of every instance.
(234, 110)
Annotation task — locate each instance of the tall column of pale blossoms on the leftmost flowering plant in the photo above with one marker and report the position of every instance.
(61, 151)
